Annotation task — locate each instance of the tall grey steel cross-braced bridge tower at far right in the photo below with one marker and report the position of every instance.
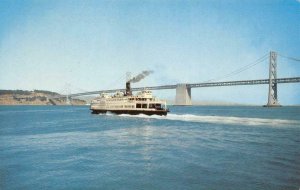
(272, 95)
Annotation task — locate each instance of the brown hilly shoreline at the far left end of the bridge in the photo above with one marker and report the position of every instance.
(36, 97)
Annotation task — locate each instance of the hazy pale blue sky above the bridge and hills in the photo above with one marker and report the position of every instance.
(90, 45)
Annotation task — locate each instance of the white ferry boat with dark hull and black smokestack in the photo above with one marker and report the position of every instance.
(127, 103)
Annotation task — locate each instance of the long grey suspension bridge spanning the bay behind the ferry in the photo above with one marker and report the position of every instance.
(183, 90)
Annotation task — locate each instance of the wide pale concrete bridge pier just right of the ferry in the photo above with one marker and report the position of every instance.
(183, 95)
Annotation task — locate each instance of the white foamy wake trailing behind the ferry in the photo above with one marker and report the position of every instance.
(220, 119)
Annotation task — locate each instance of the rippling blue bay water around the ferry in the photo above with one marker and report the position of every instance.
(57, 147)
